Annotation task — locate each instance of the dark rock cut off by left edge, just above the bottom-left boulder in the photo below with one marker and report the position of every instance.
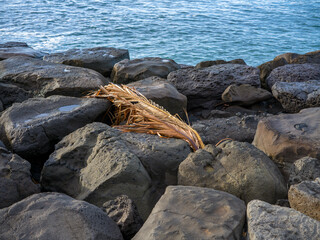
(15, 178)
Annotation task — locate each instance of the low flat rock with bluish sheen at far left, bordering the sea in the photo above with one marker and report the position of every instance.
(11, 49)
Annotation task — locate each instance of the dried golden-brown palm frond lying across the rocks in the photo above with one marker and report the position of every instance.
(144, 116)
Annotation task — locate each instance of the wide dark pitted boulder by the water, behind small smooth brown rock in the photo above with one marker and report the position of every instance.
(203, 87)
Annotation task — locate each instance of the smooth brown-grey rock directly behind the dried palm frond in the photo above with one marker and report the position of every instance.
(163, 93)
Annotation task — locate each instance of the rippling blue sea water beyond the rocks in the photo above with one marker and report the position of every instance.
(187, 31)
